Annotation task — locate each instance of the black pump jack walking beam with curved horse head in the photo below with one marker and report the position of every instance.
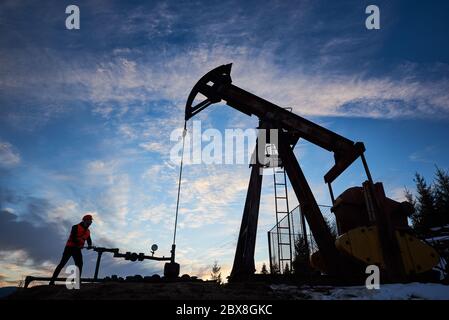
(217, 85)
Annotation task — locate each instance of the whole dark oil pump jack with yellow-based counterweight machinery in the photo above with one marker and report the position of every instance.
(372, 228)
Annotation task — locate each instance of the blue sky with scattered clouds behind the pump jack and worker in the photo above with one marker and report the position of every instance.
(86, 115)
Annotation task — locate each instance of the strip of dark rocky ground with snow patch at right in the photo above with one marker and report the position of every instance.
(204, 290)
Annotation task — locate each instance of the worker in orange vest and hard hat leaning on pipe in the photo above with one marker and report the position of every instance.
(79, 234)
